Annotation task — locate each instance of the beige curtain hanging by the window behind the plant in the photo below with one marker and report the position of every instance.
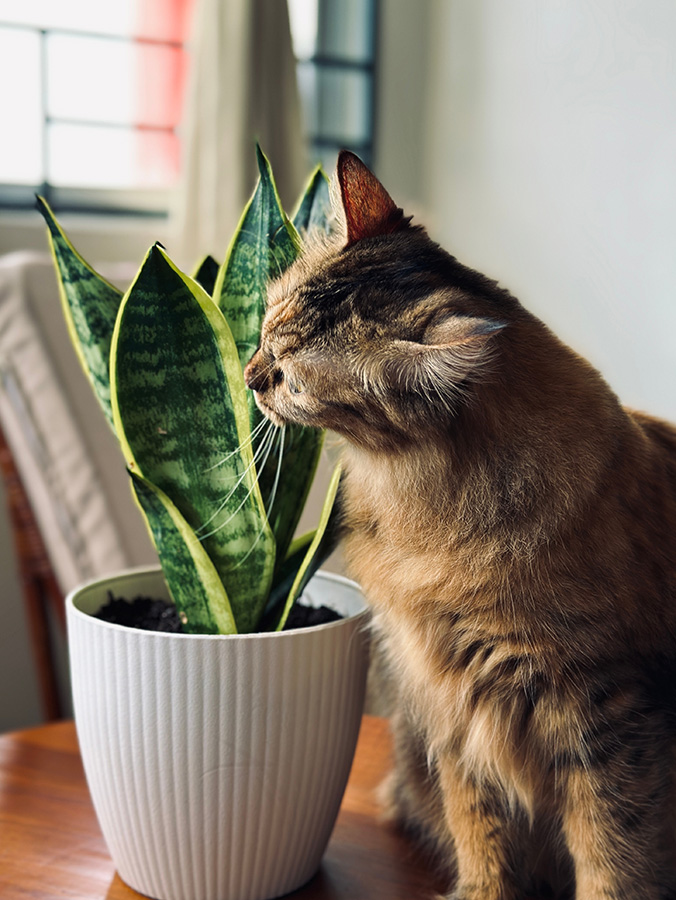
(242, 89)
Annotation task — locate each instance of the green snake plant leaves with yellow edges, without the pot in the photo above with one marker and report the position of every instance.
(221, 488)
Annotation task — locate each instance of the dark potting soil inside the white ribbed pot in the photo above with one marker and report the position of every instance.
(151, 614)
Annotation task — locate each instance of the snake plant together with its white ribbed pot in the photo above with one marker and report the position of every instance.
(216, 757)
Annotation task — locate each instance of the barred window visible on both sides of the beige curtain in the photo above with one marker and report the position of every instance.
(108, 79)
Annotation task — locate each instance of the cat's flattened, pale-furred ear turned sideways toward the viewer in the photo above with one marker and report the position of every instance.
(455, 350)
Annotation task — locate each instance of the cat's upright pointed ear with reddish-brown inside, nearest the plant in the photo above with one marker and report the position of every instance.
(369, 209)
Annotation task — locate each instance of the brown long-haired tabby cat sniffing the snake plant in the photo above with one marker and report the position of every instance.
(514, 531)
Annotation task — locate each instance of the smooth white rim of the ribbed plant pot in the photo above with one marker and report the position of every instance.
(132, 573)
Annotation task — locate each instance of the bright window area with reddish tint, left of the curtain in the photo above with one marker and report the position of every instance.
(106, 79)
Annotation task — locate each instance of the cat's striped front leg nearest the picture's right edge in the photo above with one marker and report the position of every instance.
(618, 826)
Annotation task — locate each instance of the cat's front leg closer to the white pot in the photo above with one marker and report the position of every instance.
(487, 834)
